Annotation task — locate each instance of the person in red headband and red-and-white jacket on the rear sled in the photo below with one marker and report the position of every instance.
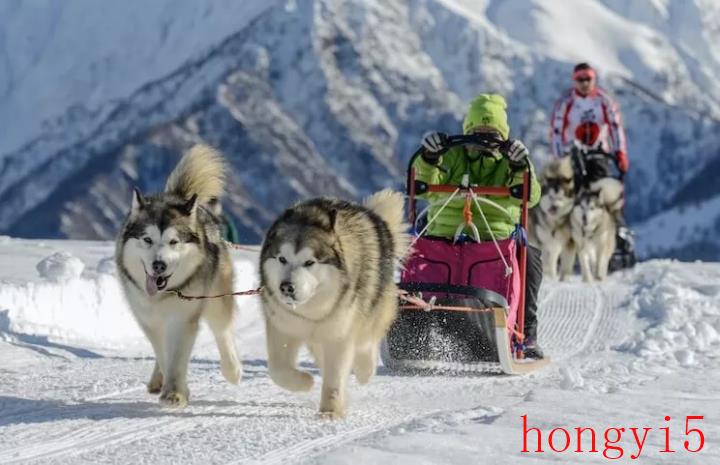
(587, 104)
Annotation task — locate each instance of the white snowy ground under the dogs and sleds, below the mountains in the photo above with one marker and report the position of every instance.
(626, 353)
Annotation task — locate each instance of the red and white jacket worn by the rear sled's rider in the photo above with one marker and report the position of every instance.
(597, 107)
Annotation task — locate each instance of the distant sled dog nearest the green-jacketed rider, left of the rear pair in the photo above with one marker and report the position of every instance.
(550, 220)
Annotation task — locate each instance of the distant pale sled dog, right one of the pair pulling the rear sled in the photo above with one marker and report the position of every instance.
(594, 226)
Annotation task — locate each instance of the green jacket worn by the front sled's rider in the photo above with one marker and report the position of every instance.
(491, 170)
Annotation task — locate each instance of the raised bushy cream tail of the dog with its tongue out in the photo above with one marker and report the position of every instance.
(201, 171)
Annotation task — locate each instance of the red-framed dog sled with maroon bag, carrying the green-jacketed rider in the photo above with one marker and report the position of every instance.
(462, 306)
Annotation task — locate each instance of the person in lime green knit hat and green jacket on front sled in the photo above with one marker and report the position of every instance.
(503, 164)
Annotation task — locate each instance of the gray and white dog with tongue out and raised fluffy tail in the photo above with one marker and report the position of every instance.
(171, 241)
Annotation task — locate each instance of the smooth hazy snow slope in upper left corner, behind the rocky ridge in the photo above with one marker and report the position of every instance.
(120, 47)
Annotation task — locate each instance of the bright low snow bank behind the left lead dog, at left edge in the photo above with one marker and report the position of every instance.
(76, 300)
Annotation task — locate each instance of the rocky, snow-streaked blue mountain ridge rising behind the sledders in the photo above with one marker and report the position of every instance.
(330, 98)
